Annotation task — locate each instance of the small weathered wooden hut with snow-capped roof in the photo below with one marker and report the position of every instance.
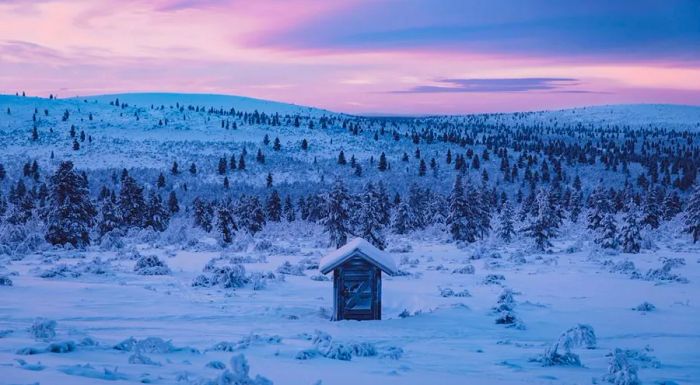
(357, 279)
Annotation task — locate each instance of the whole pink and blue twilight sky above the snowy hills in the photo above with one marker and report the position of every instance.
(356, 56)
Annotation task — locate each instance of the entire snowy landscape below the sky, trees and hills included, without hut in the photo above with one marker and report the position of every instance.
(221, 282)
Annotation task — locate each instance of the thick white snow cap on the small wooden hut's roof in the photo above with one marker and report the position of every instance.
(335, 258)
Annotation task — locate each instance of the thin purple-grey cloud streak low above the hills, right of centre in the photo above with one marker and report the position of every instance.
(497, 85)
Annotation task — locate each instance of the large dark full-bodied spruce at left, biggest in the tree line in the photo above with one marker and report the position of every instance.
(71, 211)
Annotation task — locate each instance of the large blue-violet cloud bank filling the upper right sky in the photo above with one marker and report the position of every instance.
(600, 29)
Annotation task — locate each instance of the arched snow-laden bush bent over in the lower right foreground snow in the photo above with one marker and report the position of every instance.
(560, 352)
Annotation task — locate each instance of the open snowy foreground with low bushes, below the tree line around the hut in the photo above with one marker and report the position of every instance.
(571, 316)
